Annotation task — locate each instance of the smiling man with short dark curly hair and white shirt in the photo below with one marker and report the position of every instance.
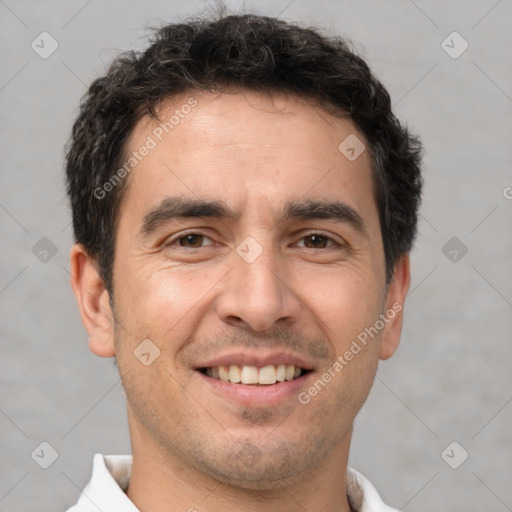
(244, 202)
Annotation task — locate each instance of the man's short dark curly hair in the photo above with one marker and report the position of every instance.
(244, 52)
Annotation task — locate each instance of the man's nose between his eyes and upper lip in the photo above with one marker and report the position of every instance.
(258, 294)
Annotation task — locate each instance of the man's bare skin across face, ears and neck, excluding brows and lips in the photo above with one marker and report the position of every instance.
(195, 449)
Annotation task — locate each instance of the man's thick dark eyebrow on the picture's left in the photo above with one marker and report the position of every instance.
(172, 208)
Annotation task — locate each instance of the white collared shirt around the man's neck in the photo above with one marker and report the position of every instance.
(111, 473)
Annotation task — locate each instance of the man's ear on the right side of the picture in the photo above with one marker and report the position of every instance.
(397, 291)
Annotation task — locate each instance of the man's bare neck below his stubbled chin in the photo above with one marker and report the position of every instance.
(162, 482)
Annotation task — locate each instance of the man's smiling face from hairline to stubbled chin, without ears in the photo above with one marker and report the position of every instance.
(246, 238)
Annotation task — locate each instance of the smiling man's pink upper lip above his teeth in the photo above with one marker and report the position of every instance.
(252, 358)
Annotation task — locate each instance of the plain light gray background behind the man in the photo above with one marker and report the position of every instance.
(449, 381)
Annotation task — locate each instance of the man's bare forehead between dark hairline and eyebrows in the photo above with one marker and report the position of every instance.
(247, 148)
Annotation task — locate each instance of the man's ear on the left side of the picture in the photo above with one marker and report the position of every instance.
(93, 302)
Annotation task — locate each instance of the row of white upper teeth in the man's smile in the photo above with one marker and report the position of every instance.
(253, 374)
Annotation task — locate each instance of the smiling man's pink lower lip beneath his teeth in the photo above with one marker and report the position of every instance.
(257, 394)
